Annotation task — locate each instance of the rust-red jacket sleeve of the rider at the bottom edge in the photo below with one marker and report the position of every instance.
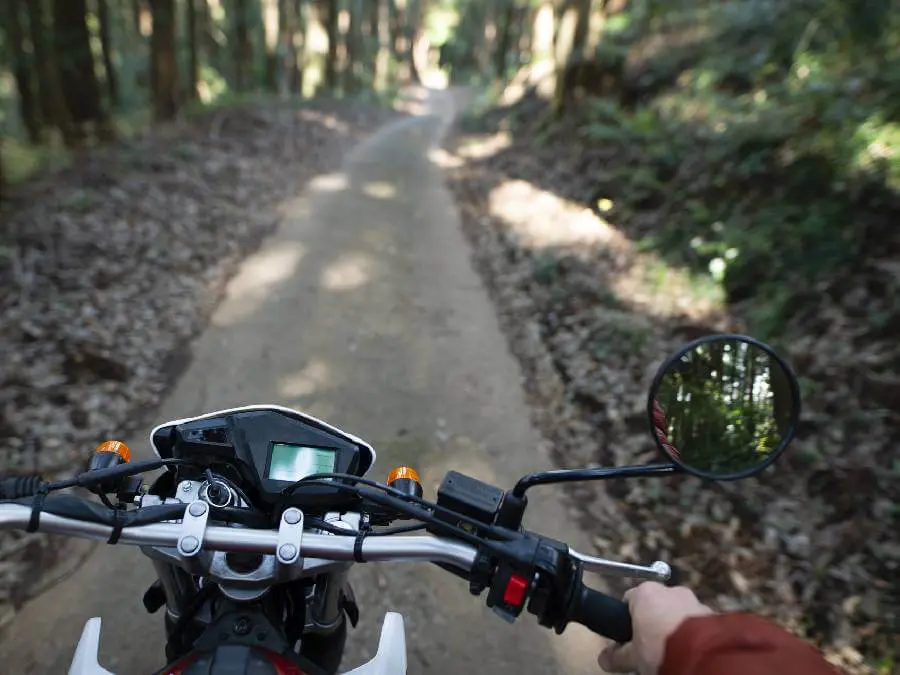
(739, 644)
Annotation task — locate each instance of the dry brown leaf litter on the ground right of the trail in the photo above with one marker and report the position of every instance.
(813, 544)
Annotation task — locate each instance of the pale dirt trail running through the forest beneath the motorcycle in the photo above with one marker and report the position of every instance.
(362, 309)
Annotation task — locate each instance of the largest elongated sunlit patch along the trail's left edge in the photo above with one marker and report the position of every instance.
(256, 281)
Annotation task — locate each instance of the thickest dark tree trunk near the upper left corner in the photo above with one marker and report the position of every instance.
(76, 62)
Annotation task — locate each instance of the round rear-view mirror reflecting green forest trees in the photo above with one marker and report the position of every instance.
(725, 407)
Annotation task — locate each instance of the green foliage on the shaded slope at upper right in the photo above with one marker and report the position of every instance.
(767, 131)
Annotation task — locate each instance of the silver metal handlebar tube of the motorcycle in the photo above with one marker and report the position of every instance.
(218, 538)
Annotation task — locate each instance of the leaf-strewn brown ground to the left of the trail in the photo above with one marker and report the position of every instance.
(110, 267)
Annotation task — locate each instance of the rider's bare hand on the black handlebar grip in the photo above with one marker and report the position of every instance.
(656, 611)
